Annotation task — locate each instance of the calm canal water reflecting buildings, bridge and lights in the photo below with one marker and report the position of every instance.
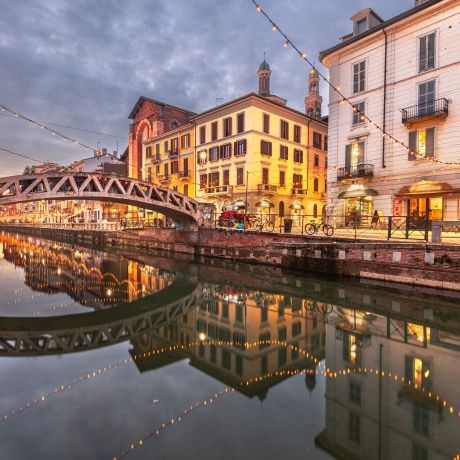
(107, 356)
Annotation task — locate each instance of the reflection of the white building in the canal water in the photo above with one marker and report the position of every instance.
(382, 416)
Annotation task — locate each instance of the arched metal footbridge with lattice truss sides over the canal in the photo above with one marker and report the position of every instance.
(101, 187)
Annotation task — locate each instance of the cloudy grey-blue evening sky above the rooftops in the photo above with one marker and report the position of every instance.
(84, 63)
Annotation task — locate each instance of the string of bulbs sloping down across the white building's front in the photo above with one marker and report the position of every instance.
(343, 98)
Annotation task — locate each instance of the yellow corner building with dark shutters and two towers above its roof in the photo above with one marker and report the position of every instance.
(256, 149)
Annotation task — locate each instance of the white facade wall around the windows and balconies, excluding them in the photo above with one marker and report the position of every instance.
(403, 79)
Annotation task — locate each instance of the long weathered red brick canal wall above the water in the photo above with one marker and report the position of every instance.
(411, 263)
